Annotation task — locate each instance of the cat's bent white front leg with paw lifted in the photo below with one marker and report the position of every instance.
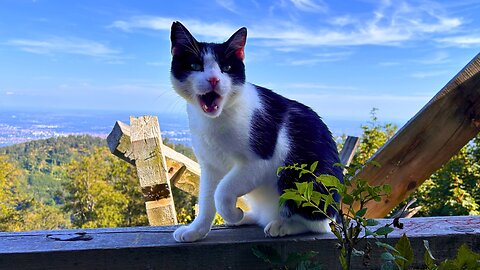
(240, 180)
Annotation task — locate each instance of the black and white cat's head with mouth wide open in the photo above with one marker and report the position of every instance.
(207, 75)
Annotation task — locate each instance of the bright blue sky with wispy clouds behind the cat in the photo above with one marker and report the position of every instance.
(340, 57)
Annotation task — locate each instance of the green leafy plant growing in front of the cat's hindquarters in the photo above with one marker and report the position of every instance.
(350, 224)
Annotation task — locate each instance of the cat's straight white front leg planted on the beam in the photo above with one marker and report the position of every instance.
(200, 227)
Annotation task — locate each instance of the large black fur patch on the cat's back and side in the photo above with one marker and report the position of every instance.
(310, 141)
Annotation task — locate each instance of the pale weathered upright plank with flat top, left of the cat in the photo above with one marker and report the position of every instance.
(152, 170)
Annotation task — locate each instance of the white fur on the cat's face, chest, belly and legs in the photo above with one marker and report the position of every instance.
(229, 167)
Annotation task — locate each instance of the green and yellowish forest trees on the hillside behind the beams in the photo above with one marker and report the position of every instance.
(75, 182)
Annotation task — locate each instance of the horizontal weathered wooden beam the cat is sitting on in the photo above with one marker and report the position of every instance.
(224, 248)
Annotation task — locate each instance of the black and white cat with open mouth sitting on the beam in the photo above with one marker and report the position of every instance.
(241, 134)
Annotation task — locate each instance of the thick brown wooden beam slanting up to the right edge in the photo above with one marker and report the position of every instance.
(448, 122)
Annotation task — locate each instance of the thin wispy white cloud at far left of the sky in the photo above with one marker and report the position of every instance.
(64, 45)
